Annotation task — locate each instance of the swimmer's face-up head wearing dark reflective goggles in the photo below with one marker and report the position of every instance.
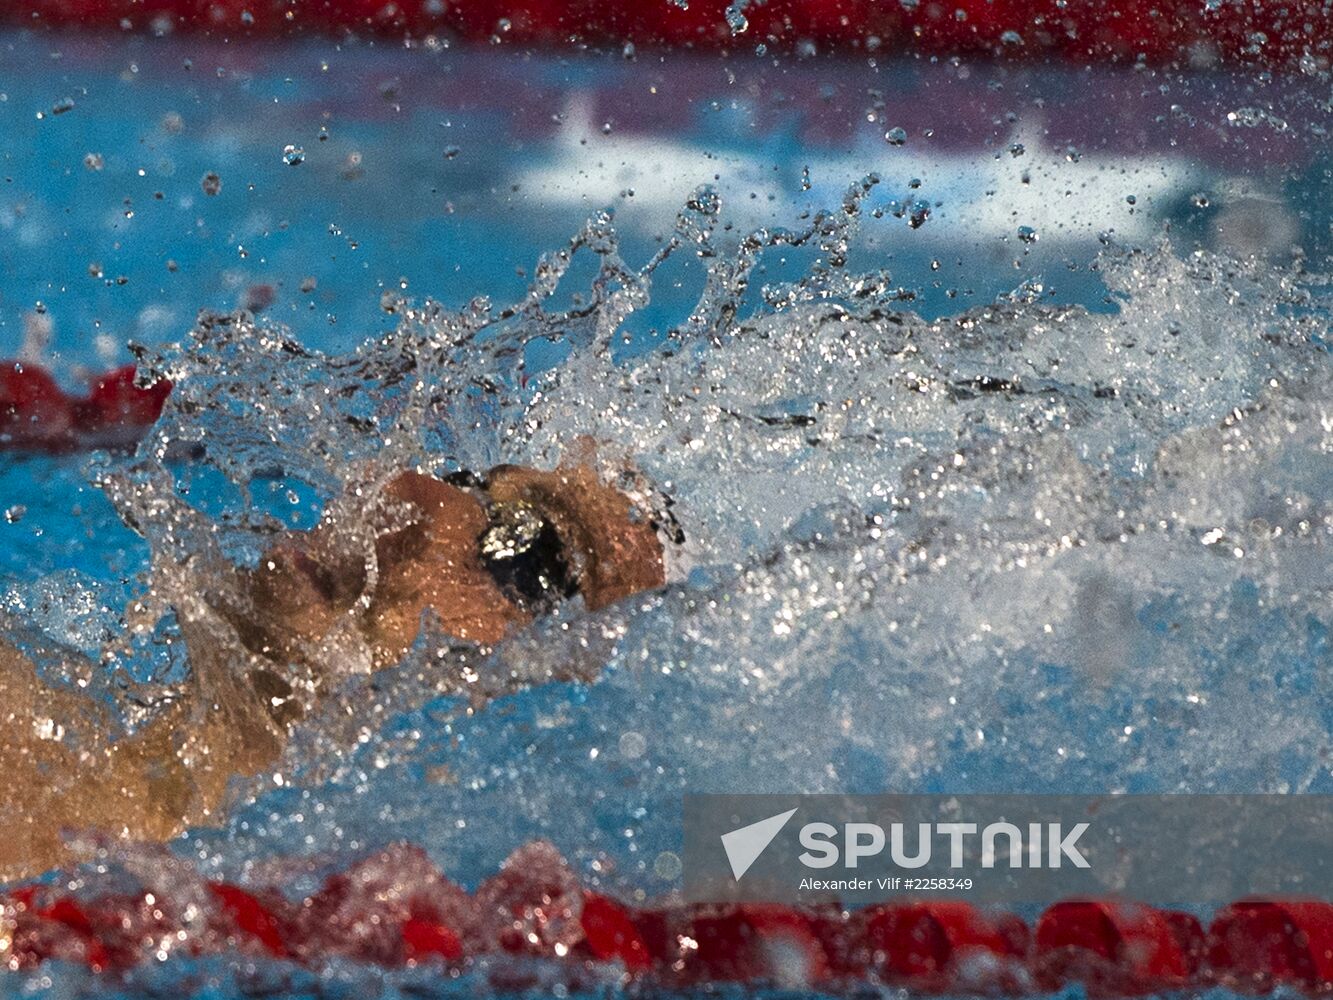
(485, 554)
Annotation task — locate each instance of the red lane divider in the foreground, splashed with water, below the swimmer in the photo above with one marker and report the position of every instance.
(398, 909)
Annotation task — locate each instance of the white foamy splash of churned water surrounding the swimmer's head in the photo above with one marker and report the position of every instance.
(1023, 547)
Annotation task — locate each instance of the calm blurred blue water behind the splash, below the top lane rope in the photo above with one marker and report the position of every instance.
(453, 171)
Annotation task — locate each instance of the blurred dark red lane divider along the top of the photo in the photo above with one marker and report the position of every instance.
(1259, 31)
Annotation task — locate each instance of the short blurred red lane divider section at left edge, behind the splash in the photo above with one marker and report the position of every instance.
(37, 415)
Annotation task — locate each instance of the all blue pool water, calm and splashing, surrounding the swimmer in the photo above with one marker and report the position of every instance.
(1000, 443)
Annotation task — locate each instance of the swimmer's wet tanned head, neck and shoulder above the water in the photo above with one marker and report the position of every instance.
(487, 557)
